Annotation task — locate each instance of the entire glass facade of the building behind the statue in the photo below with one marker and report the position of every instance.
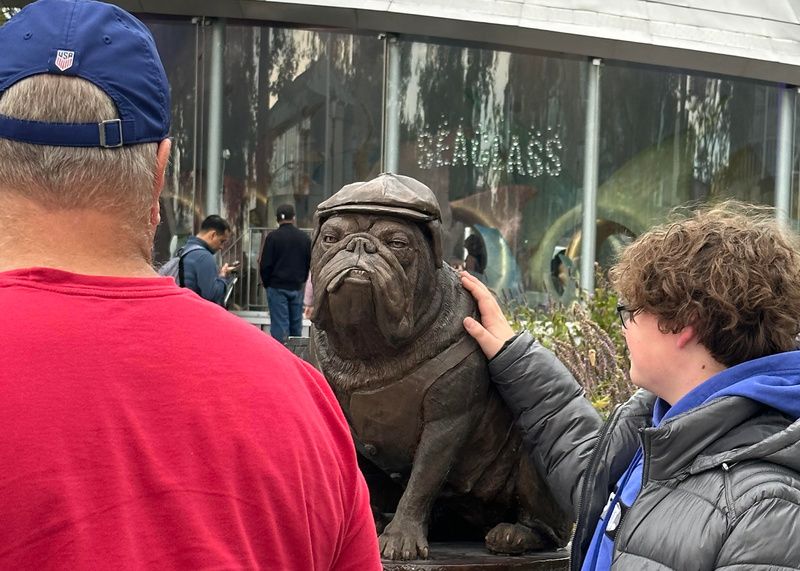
(499, 134)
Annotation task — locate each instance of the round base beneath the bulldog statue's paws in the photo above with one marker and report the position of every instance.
(475, 557)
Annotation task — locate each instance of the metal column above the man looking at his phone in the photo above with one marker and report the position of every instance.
(213, 201)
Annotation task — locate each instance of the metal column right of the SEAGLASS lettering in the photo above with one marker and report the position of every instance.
(590, 166)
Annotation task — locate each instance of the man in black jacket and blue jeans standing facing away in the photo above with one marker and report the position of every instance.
(284, 269)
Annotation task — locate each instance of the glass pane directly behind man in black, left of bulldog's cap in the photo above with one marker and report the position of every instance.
(302, 119)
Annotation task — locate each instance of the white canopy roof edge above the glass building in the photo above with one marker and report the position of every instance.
(748, 38)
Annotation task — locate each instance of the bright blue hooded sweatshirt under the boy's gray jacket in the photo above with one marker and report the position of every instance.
(773, 381)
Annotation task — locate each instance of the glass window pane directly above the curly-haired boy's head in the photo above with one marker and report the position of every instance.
(669, 139)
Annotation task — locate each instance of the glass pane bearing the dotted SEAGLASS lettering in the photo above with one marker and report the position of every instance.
(498, 137)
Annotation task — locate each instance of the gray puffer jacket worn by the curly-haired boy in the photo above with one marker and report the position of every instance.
(720, 485)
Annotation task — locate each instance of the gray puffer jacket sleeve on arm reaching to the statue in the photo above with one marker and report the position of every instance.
(558, 423)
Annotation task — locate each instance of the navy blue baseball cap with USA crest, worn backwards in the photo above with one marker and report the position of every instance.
(100, 43)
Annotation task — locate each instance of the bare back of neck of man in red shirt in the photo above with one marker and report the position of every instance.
(80, 241)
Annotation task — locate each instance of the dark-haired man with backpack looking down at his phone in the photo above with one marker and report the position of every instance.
(199, 266)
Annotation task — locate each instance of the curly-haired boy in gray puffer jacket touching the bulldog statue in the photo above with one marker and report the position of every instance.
(701, 469)
